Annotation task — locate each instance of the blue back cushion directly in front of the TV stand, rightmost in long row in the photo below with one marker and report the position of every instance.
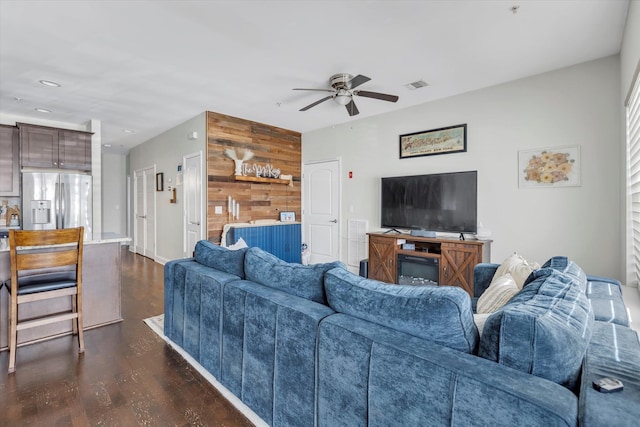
(438, 314)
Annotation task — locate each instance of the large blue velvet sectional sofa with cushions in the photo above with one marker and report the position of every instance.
(317, 345)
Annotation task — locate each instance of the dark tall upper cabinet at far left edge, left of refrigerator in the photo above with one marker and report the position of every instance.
(9, 161)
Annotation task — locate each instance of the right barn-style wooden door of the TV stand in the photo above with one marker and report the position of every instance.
(456, 265)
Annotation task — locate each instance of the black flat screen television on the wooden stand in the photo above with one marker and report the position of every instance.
(445, 202)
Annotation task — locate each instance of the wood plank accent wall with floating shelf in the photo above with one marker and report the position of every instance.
(281, 148)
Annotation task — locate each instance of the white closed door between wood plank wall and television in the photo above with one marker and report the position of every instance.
(321, 210)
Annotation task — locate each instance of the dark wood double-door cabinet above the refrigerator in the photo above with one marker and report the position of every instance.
(46, 147)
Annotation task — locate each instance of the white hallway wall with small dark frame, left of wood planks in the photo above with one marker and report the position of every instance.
(165, 151)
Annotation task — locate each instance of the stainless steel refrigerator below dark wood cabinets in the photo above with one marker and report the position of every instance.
(53, 200)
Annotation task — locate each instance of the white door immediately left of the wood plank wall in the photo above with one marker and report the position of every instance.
(193, 197)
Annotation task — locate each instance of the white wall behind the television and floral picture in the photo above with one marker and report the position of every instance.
(579, 105)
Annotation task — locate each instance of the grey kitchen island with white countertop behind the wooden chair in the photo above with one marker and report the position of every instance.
(101, 289)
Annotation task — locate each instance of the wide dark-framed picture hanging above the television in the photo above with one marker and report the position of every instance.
(451, 139)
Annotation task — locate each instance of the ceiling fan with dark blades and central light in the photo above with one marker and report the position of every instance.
(343, 91)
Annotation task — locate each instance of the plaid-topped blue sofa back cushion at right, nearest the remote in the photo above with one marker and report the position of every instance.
(544, 330)
